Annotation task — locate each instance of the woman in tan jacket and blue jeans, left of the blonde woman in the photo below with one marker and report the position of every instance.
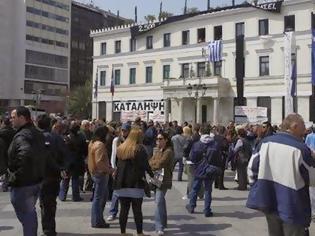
(99, 168)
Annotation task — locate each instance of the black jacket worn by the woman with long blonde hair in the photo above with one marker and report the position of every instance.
(130, 172)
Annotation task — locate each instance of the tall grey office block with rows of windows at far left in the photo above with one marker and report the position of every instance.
(35, 53)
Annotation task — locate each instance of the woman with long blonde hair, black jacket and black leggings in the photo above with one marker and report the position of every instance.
(129, 178)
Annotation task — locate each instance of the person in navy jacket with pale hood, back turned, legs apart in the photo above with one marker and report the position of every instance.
(205, 156)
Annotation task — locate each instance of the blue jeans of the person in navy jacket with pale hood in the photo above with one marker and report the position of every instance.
(196, 185)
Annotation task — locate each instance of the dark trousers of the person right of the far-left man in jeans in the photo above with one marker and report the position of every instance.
(47, 198)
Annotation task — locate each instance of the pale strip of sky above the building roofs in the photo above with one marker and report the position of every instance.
(146, 7)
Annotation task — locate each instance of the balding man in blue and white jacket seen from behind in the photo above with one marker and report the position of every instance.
(280, 173)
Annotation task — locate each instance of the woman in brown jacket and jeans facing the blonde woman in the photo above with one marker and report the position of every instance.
(163, 158)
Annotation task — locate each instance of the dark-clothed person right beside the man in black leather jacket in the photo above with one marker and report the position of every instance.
(50, 185)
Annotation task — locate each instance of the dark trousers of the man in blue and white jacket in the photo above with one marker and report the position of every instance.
(276, 227)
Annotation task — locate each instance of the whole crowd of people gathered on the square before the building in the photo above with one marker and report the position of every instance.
(123, 163)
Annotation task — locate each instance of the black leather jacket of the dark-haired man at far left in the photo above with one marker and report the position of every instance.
(26, 157)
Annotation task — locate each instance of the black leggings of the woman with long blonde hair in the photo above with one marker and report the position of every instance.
(125, 203)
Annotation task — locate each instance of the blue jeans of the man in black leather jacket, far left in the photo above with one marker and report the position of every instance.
(24, 200)
